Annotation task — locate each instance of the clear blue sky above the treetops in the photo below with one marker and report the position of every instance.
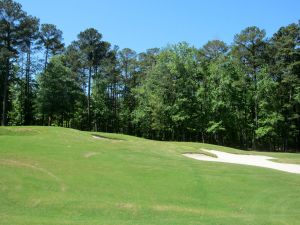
(143, 24)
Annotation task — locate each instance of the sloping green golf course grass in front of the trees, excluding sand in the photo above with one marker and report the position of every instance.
(60, 176)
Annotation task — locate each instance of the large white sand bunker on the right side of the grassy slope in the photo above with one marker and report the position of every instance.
(252, 160)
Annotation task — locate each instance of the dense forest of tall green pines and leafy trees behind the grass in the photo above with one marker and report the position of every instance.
(246, 94)
